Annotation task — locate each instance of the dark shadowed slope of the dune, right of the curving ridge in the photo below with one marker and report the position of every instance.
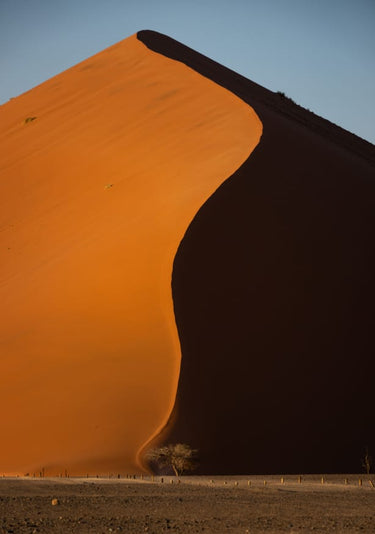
(274, 292)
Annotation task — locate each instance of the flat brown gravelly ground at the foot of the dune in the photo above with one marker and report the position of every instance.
(196, 504)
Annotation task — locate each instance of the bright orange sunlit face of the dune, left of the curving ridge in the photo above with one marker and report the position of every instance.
(96, 194)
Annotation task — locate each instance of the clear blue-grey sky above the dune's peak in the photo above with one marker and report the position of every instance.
(321, 53)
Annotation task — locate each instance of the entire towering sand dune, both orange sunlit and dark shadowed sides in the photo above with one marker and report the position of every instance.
(145, 157)
